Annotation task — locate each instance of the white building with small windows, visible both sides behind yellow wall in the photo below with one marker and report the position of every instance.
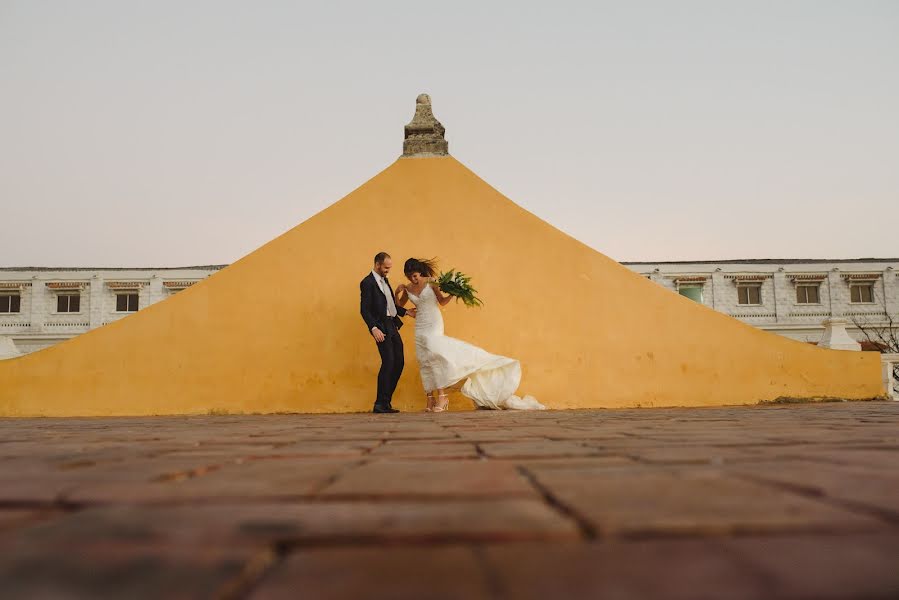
(40, 307)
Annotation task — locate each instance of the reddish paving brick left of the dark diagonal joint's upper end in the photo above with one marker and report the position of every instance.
(431, 478)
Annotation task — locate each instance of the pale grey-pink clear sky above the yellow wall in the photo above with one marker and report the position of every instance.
(172, 133)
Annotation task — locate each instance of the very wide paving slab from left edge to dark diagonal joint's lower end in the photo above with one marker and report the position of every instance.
(261, 524)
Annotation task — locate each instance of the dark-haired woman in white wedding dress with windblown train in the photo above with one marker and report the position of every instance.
(490, 380)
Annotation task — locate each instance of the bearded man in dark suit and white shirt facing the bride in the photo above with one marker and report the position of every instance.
(382, 317)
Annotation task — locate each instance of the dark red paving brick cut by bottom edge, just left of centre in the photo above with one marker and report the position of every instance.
(378, 573)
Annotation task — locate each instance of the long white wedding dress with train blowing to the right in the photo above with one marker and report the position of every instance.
(490, 380)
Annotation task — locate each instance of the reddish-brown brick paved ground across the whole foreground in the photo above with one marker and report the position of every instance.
(756, 502)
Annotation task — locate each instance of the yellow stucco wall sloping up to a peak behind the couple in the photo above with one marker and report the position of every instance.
(280, 330)
